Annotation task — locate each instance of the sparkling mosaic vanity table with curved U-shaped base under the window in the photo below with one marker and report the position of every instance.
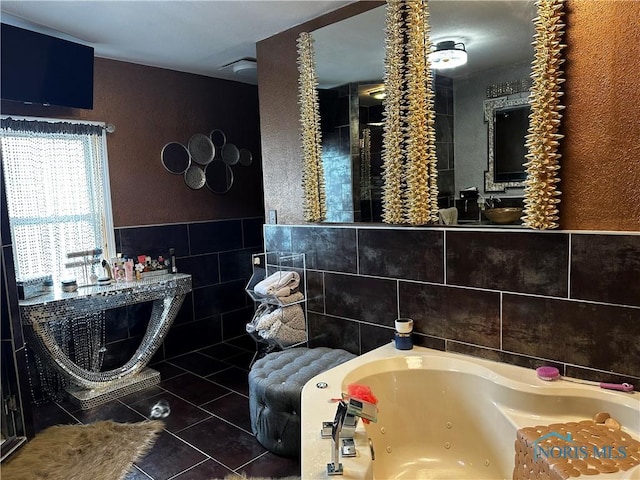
(87, 386)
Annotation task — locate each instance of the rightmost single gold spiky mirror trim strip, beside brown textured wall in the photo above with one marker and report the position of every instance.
(541, 193)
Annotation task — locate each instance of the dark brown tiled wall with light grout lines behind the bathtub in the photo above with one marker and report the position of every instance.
(570, 299)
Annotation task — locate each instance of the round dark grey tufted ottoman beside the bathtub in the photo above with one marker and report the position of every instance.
(275, 387)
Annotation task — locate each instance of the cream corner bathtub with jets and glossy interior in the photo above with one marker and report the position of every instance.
(447, 416)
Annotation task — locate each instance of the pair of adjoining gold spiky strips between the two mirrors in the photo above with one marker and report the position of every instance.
(410, 190)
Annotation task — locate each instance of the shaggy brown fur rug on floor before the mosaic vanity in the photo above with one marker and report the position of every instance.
(98, 451)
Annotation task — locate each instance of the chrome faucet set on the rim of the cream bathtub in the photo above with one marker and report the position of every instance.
(344, 426)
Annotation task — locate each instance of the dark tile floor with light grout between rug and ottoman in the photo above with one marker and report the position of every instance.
(208, 433)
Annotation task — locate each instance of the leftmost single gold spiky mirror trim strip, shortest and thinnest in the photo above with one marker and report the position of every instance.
(314, 201)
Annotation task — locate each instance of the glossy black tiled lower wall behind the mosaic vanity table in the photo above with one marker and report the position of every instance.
(218, 256)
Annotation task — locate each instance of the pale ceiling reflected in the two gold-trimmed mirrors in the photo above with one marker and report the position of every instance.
(495, 33)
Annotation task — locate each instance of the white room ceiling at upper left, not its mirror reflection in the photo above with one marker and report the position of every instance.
(204, 37)
